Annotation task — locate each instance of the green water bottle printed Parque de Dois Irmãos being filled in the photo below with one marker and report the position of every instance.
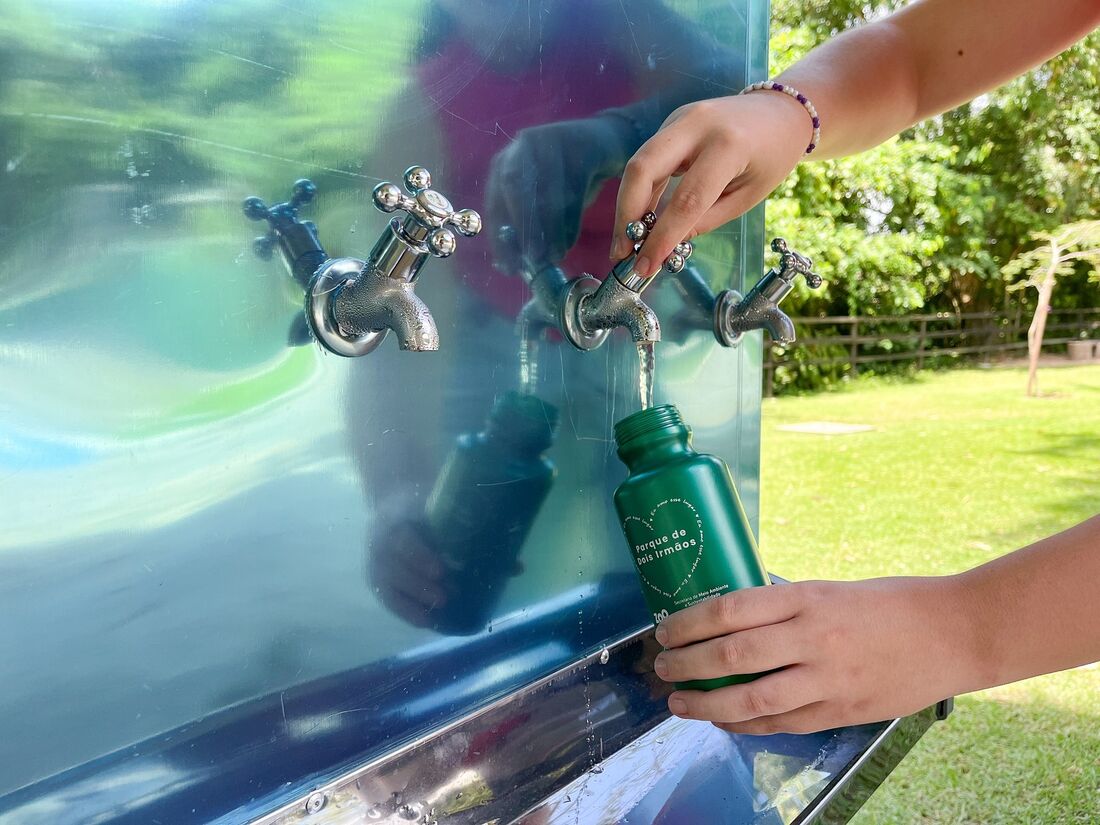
(681, 516)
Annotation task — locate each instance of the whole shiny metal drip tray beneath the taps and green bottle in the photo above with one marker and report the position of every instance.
(536, 758)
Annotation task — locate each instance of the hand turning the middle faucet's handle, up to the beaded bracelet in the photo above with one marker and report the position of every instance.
(730, 155)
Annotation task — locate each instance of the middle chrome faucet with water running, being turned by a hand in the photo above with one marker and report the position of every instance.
(591, 310)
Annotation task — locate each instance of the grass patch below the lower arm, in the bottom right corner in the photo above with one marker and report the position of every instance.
(997, 762)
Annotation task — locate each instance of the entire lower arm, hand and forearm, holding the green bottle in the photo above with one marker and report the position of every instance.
(850, 653)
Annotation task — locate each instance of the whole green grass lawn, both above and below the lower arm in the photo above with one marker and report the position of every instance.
(960, 468)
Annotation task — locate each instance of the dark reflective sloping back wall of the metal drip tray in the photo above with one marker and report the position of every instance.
(502, 761)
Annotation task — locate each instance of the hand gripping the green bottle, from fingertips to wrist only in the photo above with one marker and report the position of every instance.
(843, 654)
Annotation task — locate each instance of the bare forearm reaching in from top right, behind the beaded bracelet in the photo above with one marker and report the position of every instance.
(874, 82)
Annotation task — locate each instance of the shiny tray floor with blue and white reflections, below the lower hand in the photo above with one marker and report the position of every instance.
(685, 772)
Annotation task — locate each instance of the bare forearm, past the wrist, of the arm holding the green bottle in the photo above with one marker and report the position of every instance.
(1036, 611)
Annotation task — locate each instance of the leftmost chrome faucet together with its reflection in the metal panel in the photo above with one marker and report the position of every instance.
(353, 304)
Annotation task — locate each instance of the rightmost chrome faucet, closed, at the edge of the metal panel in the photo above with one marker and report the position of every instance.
(734, 315)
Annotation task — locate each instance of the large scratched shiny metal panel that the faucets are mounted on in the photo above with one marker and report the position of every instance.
(197, 519)
